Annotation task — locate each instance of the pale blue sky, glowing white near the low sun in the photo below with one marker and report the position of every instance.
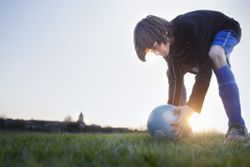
(59, 58)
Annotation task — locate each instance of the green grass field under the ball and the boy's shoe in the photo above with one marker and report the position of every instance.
(124, 149)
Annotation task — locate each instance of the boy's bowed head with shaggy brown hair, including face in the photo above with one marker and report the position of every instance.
(150, 30)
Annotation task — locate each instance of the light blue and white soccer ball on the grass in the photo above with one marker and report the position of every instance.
(160, 120)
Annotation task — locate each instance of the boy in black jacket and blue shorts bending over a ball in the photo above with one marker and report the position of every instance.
(197, 42)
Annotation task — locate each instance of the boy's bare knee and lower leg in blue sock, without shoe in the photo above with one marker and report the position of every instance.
(228, 88)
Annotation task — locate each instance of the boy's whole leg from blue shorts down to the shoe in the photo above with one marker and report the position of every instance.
(228, 88)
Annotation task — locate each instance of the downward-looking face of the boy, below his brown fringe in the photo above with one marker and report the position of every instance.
(161, 49)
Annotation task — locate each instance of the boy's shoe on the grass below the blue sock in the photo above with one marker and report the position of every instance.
(237, 133)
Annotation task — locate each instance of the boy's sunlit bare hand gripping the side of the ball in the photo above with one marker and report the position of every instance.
(181, 126)
